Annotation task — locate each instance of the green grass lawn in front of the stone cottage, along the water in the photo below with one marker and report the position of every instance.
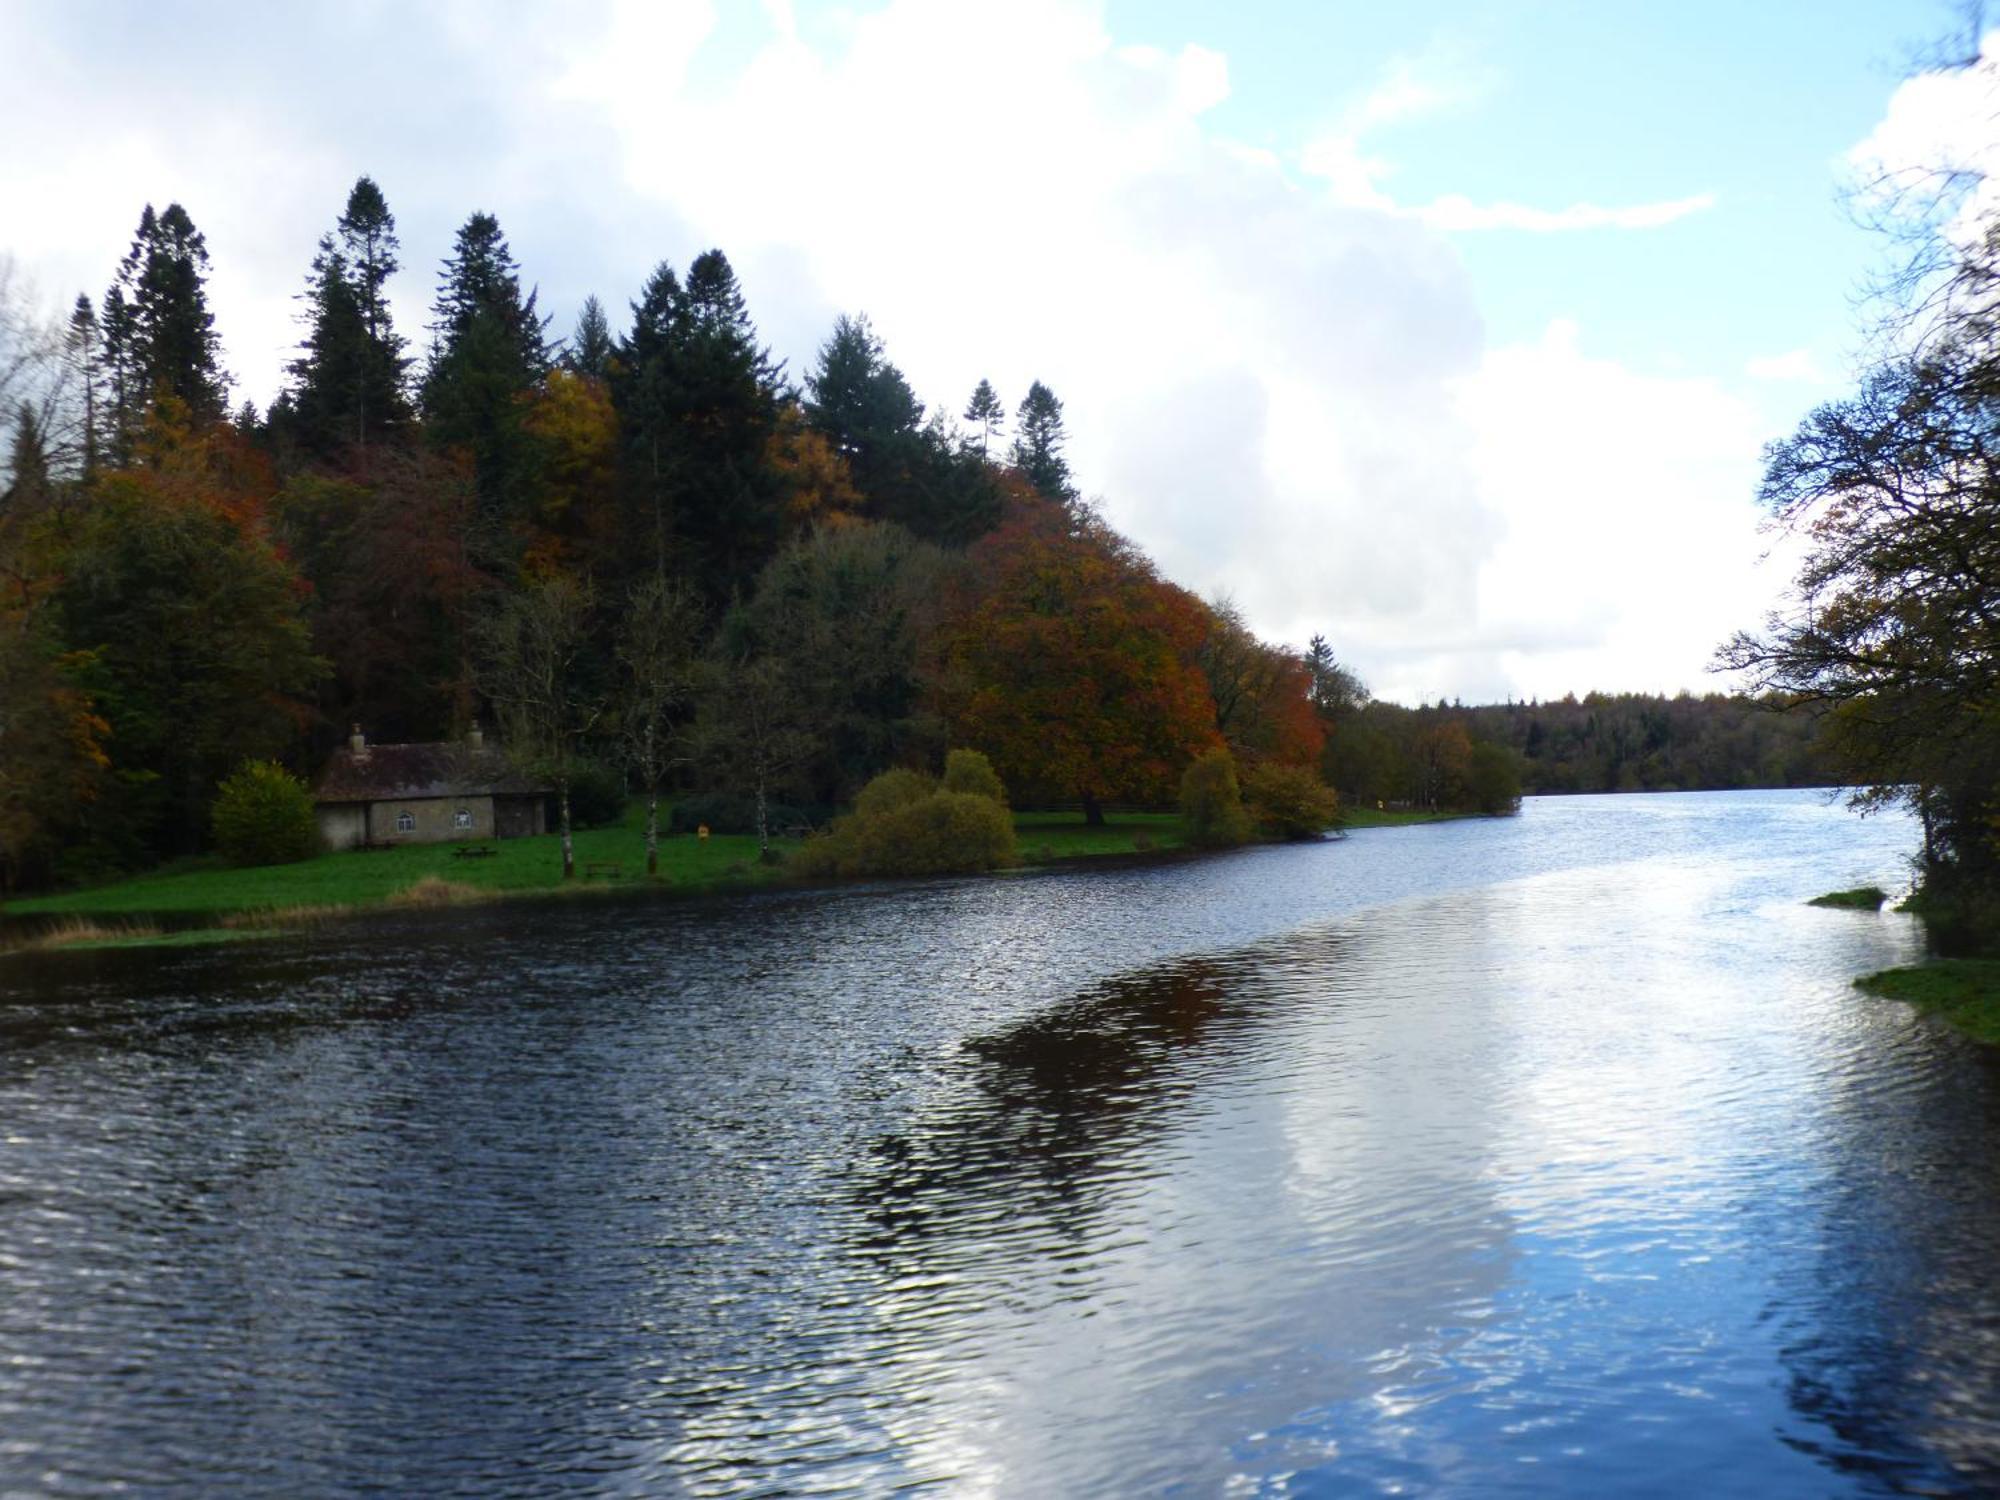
(373, 877)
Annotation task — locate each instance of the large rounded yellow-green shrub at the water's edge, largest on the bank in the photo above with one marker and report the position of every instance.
(907, 825)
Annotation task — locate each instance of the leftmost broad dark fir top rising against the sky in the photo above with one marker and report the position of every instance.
(169, 337)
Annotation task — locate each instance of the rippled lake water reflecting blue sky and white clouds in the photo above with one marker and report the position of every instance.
(1549, 1155)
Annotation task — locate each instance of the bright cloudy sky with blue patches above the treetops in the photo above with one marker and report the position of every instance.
(1447, 331)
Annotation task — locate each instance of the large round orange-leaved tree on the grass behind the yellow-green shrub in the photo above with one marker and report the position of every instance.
(1075, 667)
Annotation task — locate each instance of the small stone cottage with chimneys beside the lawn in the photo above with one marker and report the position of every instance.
(425, 795)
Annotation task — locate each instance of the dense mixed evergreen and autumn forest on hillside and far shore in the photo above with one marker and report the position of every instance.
(645, 553)
